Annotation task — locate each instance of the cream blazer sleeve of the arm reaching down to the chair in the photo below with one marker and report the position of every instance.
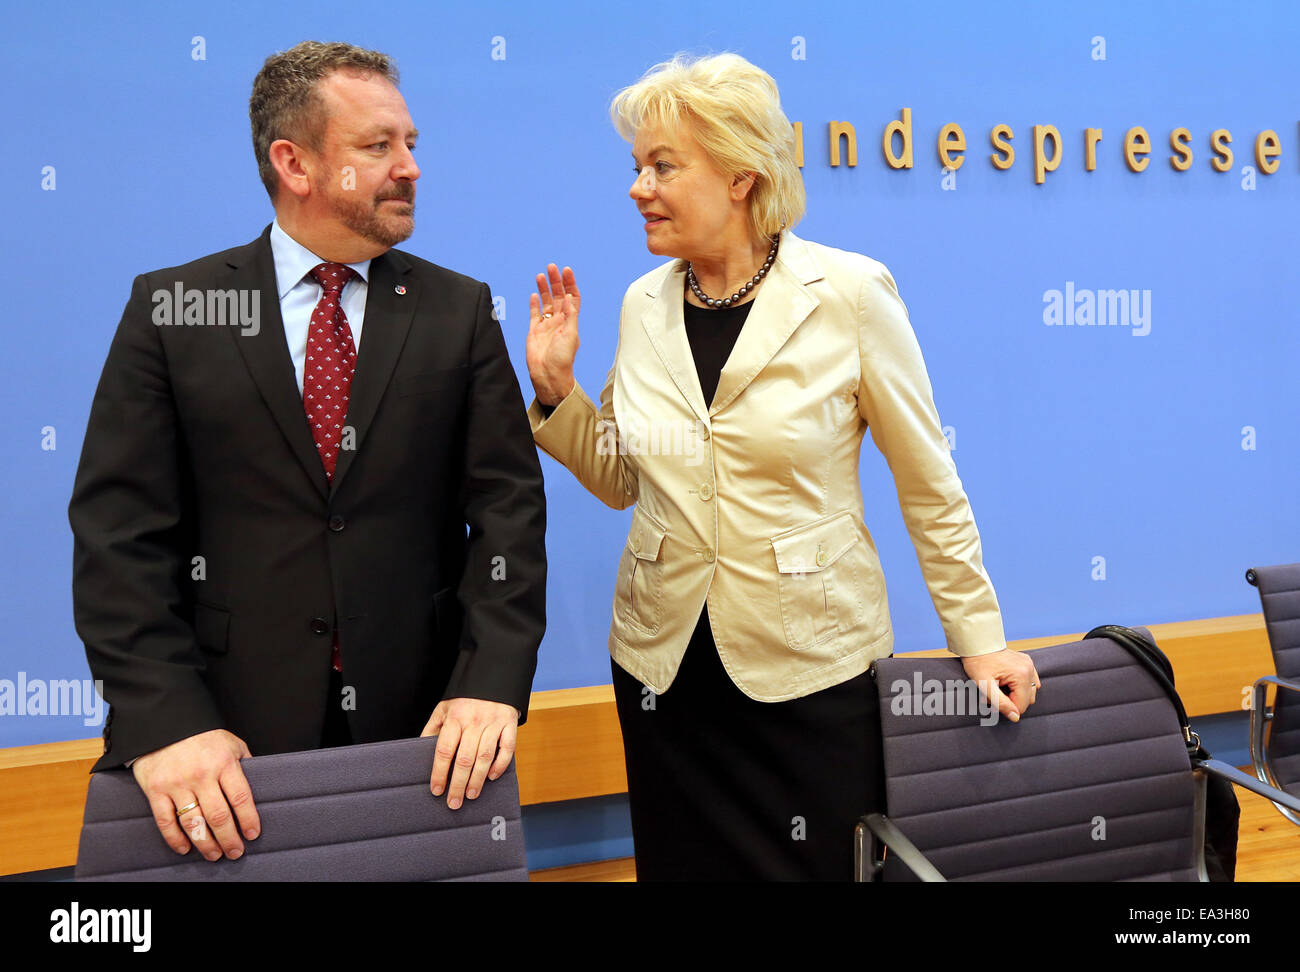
(896, 400)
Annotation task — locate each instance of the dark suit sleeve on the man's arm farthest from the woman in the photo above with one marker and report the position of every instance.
(131, 550)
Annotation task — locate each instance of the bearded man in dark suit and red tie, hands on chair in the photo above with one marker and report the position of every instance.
(309, 509)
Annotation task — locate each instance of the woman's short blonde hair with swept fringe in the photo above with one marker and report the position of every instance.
(736, 114)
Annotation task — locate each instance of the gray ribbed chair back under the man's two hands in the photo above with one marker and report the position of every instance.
(352, 814)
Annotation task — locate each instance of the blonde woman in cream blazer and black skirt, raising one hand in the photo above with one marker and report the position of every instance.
(751, 601)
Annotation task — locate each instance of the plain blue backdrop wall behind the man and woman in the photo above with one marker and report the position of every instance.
(1167, 446)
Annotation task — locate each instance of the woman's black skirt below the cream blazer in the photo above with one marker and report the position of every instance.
(723, 788)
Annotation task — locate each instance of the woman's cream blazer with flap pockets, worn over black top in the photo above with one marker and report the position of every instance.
(753, 504)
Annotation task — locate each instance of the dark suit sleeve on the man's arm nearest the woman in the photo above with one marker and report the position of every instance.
(502, 593)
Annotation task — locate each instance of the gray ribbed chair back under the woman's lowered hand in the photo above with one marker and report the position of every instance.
(1094, 783)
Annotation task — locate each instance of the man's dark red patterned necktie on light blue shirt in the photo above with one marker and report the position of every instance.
(328, 374)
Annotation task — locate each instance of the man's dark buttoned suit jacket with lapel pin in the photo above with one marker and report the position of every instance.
(198, 448)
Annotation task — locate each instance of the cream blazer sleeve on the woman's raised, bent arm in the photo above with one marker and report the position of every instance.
(584, 439)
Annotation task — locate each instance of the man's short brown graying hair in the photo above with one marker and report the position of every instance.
(287, 102)
